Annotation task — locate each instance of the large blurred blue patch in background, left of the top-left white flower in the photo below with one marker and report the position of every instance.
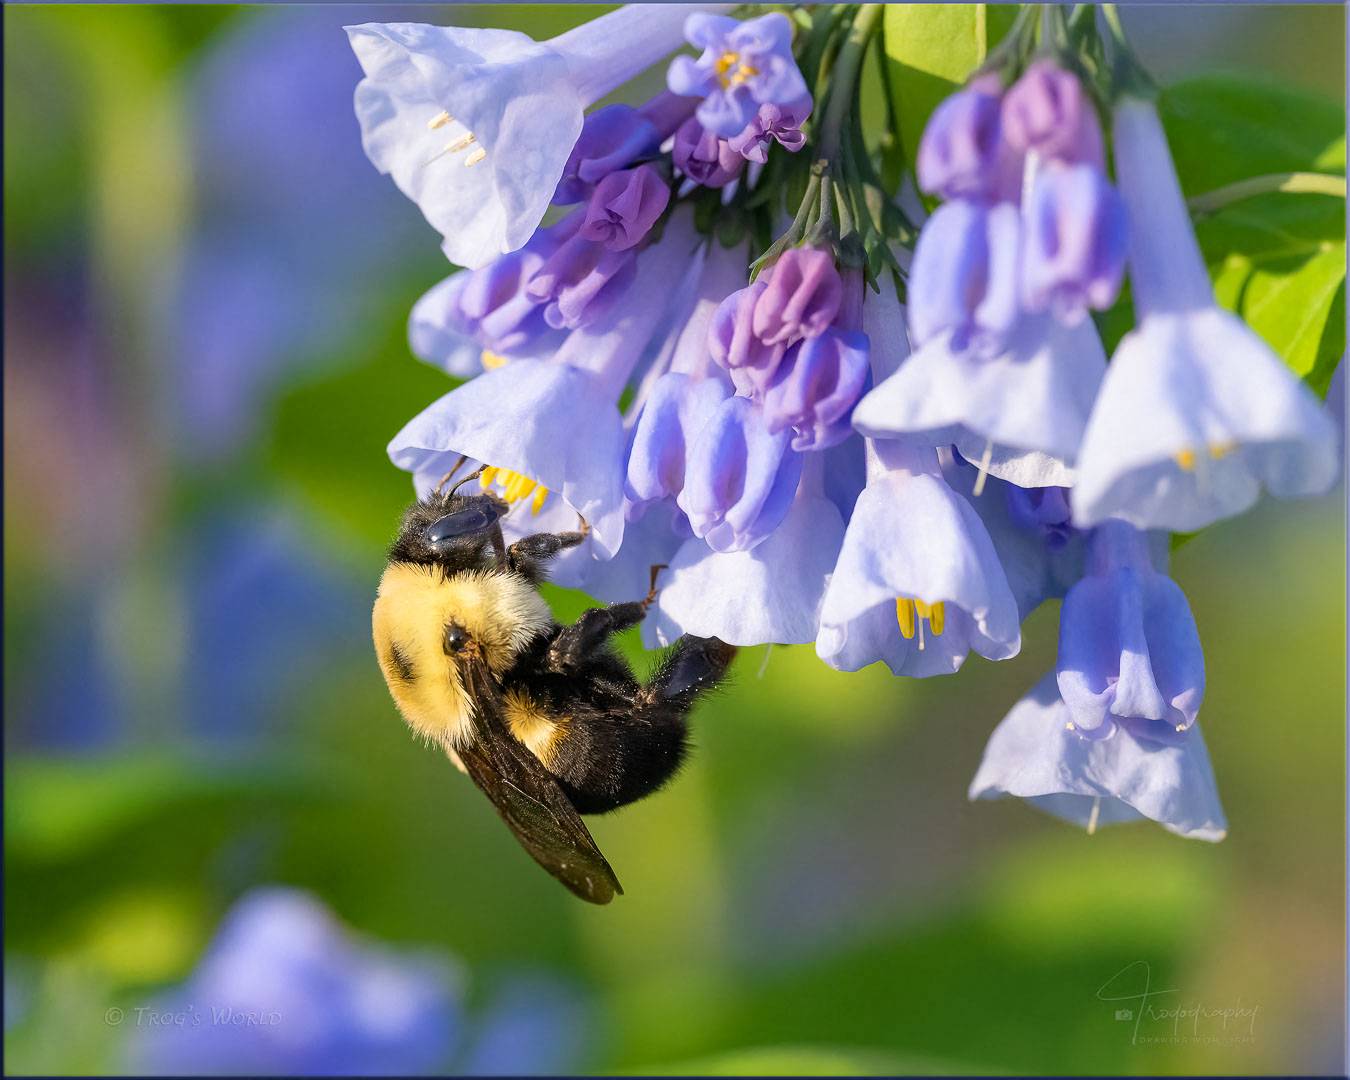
(279, 272)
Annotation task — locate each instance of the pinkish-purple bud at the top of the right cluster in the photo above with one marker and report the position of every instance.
(1047, 113)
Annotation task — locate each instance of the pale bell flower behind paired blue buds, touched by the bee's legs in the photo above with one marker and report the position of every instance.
(750, 597)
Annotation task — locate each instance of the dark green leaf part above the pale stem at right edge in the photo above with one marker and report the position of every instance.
(1222, 130)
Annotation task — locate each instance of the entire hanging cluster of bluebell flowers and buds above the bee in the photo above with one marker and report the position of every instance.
(732, 353)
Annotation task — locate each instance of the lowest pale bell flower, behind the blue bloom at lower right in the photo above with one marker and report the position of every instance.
(1036, 755)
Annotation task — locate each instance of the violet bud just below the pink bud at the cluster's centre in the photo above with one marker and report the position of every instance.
(816, 388)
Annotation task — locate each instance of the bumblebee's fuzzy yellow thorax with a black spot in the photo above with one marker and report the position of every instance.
(502, 612)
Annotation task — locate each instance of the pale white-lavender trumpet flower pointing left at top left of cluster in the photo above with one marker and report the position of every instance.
(439, 99)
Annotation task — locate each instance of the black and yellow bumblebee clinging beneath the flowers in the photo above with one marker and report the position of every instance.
(547, 720)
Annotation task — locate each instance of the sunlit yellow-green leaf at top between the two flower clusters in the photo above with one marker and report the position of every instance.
(931, 52)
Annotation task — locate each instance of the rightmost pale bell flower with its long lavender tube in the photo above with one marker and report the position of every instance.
(1197, 414)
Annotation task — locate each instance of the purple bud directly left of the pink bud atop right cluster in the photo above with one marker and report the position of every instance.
(962, 152)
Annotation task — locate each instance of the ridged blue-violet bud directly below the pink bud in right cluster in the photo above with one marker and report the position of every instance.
(1077, 234)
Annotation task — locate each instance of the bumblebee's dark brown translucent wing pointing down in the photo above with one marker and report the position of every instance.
(530, 801)
